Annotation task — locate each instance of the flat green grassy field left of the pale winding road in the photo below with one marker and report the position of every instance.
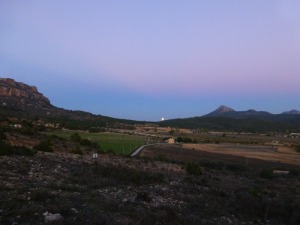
(118, 143)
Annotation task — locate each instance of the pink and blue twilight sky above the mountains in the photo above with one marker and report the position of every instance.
(149, 59)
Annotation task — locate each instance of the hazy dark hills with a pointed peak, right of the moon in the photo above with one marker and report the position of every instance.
(227, 119)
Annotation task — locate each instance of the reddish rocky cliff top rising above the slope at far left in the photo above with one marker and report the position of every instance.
(11, 88)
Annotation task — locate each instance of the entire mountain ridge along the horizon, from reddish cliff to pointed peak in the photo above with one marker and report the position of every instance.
(17, 98)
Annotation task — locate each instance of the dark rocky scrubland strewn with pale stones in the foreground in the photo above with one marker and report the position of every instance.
(122, 190)
